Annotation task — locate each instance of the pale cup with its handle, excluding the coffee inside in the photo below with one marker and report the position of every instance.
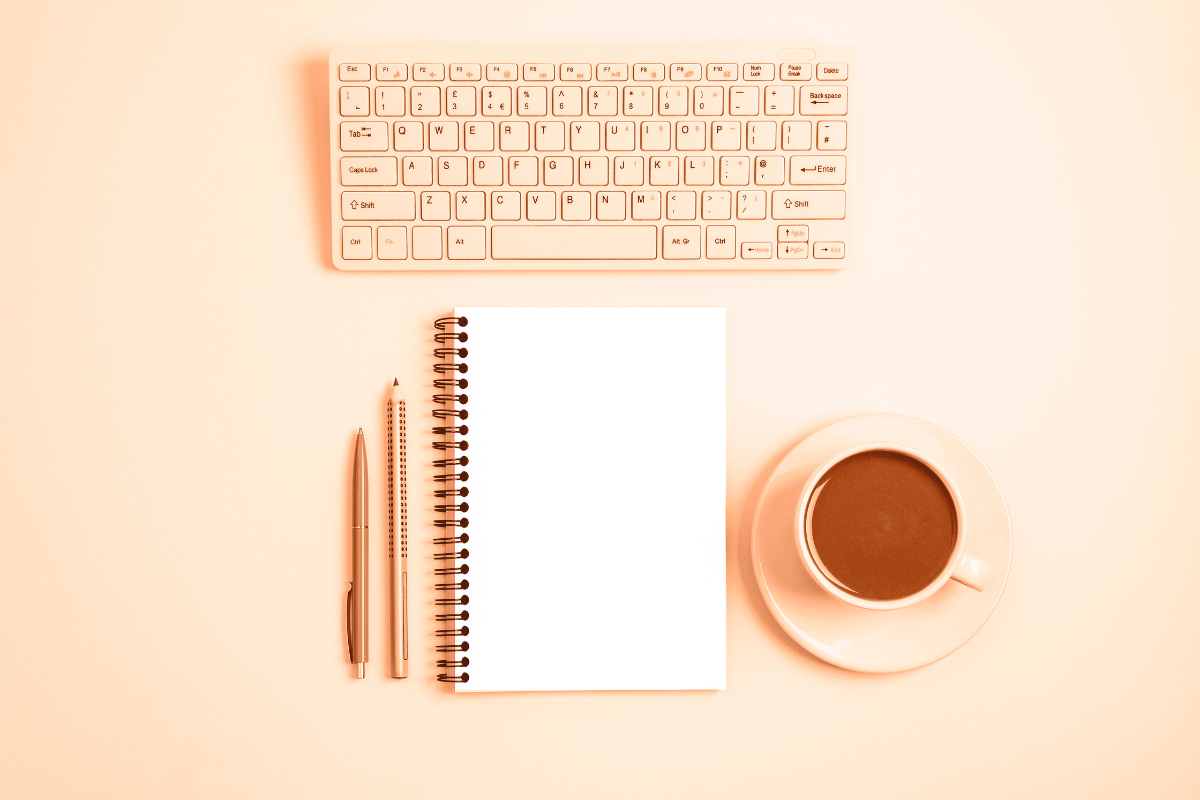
(962, 567)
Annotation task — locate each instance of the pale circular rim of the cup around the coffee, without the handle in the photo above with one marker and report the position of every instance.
(803, 543)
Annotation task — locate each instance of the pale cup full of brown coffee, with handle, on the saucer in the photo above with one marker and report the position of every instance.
(881, 527)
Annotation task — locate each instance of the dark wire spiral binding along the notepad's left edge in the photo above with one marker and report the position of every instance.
(451, 414)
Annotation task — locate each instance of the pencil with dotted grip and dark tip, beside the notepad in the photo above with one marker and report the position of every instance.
(398, 507)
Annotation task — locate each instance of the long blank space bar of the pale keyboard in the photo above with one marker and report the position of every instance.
(574, 243)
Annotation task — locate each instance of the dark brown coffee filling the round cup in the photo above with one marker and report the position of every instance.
(883, 525)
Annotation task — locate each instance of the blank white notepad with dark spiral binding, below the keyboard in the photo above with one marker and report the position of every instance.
(580, 498)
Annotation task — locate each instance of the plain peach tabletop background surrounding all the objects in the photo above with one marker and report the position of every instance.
(182, 372)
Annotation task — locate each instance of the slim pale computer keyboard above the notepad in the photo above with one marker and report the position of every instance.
(550, 158)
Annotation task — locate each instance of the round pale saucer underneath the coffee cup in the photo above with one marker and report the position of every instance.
(879, 641)
